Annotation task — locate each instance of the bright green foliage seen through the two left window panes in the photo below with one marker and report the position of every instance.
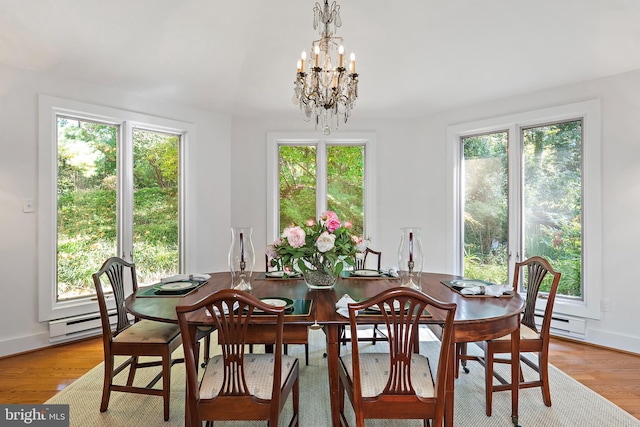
(87, 200)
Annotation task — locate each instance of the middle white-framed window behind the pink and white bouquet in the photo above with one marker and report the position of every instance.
(308, 176)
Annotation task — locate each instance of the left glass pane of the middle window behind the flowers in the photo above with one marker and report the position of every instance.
(297, 174)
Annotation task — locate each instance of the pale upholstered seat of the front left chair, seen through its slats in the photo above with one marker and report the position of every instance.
(259, 374)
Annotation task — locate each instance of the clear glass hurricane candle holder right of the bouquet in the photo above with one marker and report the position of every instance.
(410, 257)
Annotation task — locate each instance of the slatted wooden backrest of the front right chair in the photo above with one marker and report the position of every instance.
(403, 329)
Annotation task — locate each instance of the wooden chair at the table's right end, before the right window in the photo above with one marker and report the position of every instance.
(531, 273)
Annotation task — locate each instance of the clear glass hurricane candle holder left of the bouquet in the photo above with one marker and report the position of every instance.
(242, 258)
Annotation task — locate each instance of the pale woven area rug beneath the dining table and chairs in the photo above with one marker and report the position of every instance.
(572, 403)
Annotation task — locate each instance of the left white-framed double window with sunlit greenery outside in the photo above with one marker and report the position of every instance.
(110, 185)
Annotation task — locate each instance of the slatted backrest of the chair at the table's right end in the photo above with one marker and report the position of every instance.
(536, 270)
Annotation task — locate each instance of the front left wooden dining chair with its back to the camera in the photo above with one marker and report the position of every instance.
(236, 385)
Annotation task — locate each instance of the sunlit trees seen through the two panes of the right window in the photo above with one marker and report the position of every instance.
(549, 192)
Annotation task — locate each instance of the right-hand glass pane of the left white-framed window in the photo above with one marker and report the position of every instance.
(155, 205)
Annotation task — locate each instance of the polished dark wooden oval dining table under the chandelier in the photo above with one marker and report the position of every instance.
(477, 318)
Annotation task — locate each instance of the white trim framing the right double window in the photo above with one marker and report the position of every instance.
(589, 307)
